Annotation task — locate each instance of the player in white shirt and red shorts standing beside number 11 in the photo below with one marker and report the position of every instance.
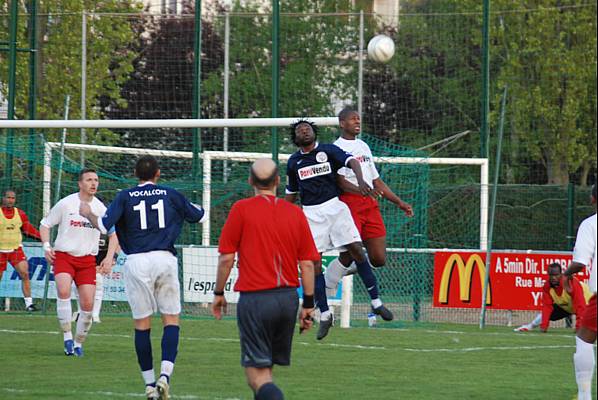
(73, 257)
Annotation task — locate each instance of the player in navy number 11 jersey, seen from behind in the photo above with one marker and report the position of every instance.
(148, 220)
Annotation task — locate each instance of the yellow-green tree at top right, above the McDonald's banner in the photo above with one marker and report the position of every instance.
(548, 60)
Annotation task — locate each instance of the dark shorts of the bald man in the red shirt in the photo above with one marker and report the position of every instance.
(266, 322)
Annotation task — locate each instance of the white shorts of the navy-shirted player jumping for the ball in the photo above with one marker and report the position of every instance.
(331, 225)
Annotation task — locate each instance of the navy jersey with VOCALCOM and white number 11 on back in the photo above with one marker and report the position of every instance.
(149, 217)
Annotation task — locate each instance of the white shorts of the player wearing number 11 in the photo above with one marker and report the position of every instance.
(152, 283)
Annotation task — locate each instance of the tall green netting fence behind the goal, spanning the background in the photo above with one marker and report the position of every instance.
(425, 101)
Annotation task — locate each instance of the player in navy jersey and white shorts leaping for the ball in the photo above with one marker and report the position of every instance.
(311, 173)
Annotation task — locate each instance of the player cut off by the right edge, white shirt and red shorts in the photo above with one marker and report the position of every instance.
(584, 256)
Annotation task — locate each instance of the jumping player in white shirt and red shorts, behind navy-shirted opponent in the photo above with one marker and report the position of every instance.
(364, 209)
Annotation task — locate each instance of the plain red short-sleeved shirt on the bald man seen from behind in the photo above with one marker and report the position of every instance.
(271, 236)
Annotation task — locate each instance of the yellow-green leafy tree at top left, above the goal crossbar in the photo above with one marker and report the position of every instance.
(59, 56)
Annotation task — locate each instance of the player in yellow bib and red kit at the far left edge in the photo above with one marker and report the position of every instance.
(13, 223)
